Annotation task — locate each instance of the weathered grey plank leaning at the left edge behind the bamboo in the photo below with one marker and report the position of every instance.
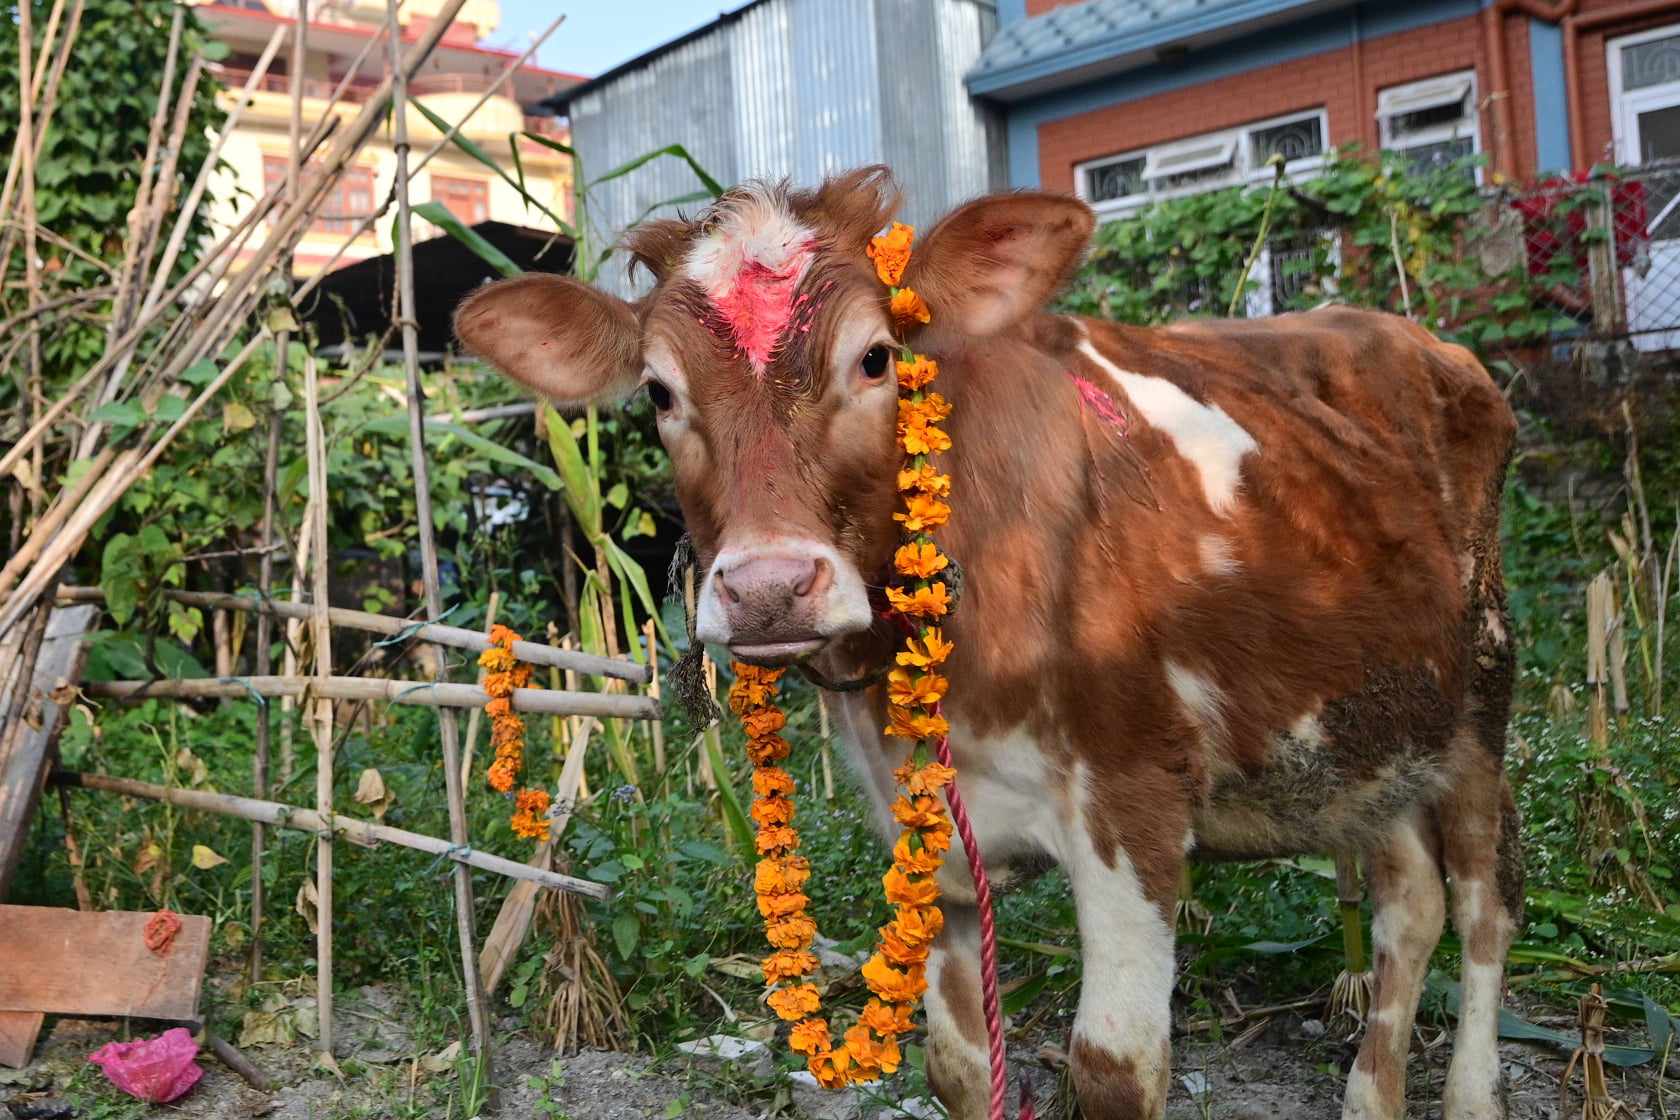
(24, 758)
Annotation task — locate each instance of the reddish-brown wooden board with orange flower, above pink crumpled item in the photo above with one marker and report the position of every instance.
(76, 963)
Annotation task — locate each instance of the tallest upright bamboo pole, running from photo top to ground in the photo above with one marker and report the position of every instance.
(478, 1008)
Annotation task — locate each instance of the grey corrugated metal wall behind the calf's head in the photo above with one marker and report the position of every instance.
(802, 90)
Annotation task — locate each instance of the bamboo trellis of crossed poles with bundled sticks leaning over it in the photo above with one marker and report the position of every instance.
(157, 332)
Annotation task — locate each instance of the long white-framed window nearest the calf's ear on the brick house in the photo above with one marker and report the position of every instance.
(1118, 186)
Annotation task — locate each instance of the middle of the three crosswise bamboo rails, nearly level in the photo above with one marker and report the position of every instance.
(409, 693)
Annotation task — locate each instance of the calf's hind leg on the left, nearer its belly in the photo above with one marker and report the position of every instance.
(1409, 906)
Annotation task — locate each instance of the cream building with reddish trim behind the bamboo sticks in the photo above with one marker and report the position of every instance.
(451, 83)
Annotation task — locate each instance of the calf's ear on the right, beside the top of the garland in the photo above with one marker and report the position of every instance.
(999, 259)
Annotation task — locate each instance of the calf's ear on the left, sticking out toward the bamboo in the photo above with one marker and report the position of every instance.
(564, 340)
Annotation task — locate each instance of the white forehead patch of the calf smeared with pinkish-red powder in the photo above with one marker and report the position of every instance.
(750, 263)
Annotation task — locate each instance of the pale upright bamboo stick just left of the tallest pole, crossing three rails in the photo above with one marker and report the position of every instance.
(322, 646)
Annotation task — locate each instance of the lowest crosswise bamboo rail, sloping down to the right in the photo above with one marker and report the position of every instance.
(327, 825)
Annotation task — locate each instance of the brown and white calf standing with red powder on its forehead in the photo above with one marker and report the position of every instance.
(1231, 589)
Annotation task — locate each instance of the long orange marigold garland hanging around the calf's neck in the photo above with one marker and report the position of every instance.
(898, 973)
